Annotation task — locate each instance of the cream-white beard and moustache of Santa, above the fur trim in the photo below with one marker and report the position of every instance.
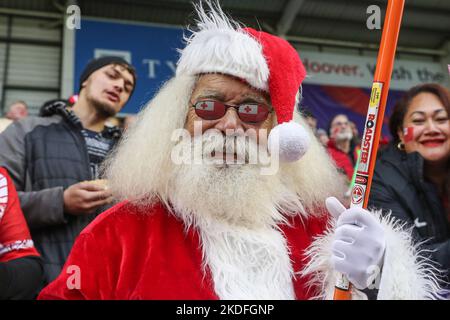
(235, 194)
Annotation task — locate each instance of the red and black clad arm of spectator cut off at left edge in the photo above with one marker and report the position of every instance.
(20, 265)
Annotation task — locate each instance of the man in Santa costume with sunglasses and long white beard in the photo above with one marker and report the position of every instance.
(226, 194)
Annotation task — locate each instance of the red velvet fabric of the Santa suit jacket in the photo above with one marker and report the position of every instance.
(127, 254)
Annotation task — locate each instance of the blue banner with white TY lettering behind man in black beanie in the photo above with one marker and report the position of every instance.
(151, 49)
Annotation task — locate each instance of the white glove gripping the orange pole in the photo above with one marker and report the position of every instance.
(358, 245)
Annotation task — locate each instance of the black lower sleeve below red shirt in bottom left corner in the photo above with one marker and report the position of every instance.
(20, 279)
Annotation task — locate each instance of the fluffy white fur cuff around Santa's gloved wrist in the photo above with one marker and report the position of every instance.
(406, 273)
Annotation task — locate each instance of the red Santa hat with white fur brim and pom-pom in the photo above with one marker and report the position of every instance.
(266, 62)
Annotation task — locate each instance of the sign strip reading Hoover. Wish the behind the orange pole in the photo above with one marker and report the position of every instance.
(358, 71)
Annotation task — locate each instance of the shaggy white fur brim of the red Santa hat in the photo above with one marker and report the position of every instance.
(221, 46)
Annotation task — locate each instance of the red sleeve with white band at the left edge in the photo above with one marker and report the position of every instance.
(15, 239)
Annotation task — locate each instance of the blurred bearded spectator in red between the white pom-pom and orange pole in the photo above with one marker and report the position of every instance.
(339, 145)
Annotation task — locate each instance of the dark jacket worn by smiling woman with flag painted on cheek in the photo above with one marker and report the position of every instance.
(399, 185)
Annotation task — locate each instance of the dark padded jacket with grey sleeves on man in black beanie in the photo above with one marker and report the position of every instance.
(44, 156)
